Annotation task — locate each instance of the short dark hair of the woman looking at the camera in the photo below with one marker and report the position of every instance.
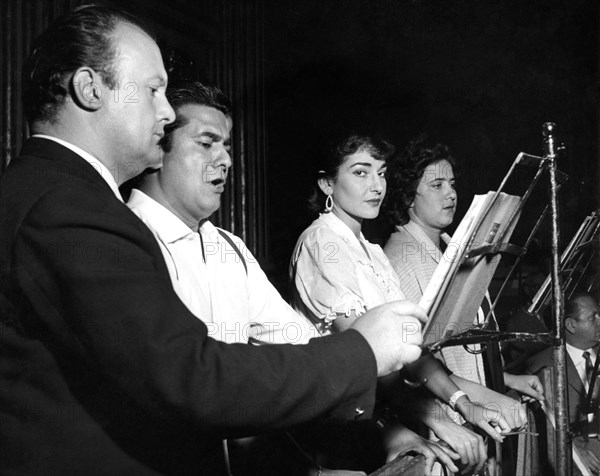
(379, 149)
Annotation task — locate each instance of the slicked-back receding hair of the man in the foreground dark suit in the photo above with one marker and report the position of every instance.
(80, 38)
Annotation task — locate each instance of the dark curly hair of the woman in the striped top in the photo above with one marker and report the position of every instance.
(406, 171)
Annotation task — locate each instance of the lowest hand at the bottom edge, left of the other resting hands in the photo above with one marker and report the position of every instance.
(399, 440)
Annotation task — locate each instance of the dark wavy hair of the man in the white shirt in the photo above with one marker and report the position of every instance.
(184, 93)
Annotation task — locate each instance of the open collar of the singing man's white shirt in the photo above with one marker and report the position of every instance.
(165, 224)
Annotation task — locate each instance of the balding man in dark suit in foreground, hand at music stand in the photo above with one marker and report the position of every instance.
(104, 371)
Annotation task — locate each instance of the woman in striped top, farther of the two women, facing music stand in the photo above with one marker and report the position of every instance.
(422, 203)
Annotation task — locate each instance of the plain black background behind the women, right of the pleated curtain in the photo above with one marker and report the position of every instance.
(480, 76)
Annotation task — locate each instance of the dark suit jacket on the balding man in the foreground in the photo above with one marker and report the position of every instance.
(104, 371)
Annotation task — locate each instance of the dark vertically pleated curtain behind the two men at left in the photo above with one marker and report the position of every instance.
(219, 42)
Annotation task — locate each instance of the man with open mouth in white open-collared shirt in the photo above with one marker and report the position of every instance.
(212, 271)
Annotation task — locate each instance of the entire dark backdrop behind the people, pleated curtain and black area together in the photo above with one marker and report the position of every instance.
(481, 76)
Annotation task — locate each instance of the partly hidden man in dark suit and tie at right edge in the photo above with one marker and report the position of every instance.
(582, 333)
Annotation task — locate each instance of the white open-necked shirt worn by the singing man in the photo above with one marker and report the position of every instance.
(215, 287)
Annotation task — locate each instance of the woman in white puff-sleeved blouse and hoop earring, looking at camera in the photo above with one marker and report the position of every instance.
(338, 275)
